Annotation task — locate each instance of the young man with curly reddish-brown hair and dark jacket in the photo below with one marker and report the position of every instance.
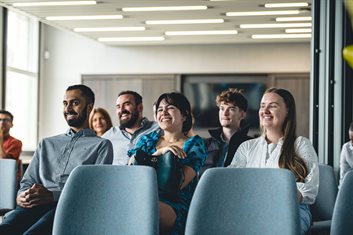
(225, 140)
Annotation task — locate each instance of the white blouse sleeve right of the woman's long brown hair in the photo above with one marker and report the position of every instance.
(310, 187)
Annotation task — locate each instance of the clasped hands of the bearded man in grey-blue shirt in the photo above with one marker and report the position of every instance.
(34, 196)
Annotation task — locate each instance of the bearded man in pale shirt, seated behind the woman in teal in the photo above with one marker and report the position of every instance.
(132, 125)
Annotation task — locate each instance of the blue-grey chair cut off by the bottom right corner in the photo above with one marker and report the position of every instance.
(342, 218)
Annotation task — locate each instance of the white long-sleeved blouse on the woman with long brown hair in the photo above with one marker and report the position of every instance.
(257, 153)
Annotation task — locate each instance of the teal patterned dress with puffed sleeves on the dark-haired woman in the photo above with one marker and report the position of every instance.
(196, 152)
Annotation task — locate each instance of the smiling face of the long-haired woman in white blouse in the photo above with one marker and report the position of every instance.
(273, 112)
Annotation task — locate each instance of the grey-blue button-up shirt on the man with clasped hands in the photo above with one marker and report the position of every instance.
(55, 158)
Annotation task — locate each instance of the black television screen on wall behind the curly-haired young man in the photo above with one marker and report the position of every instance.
(202, 95)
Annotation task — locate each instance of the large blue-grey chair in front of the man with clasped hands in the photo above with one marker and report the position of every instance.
(106, 199)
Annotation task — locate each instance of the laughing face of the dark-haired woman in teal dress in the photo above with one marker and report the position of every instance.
(169, 117)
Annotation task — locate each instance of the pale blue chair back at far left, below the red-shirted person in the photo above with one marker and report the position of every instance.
(7, 185)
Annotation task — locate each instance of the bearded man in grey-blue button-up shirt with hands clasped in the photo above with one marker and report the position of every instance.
(52, 163)
